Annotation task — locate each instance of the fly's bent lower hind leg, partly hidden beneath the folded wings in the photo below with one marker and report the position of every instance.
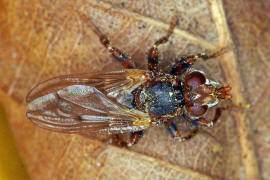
(134, 138)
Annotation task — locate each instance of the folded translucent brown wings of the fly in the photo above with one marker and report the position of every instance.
(88, 103)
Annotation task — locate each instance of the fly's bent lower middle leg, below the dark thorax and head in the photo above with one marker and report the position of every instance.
(175, 134)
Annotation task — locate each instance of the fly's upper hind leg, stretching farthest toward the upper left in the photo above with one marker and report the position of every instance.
(119, 55)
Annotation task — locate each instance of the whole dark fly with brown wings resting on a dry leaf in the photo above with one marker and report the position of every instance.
(130, 100)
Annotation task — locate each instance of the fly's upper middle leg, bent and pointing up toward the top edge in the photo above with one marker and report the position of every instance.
(153, 54)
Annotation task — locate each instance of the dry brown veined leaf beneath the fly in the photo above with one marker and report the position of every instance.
(43, 39)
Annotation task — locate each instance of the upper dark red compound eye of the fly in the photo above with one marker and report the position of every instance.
(194, 79)
